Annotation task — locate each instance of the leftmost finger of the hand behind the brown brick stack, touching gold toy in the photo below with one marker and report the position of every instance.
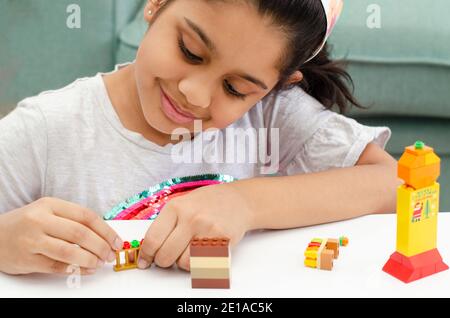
(155, 236)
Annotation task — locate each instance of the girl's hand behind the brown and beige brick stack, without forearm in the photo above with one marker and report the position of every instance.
(211, 211)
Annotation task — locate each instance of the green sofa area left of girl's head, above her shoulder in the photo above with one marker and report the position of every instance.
(39, 52)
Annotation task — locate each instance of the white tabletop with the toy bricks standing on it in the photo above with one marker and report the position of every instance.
(264, 264)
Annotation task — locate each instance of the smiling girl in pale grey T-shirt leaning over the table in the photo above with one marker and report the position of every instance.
(227, 65)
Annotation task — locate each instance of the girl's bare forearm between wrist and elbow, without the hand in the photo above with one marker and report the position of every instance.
(314, 198)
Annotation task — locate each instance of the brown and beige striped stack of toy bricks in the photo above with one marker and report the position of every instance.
(210, 262)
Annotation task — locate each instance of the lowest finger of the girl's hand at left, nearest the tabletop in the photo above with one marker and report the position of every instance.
(46, 265)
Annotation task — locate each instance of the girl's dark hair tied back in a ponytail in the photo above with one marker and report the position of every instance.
(304, 24)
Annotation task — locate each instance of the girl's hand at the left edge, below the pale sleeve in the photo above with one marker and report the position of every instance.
(49, 234)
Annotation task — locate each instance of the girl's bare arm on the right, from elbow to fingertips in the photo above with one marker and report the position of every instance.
(232, 209)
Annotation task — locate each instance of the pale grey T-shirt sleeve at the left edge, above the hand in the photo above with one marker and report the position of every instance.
(23, 156)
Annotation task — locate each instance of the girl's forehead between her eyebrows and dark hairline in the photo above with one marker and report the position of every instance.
(244, 40)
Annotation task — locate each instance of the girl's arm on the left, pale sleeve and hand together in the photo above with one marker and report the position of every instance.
(39, 234)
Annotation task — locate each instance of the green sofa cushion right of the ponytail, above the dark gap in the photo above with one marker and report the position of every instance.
(402, 68)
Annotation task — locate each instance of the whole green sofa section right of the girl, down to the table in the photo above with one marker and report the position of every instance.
(402, 72)
